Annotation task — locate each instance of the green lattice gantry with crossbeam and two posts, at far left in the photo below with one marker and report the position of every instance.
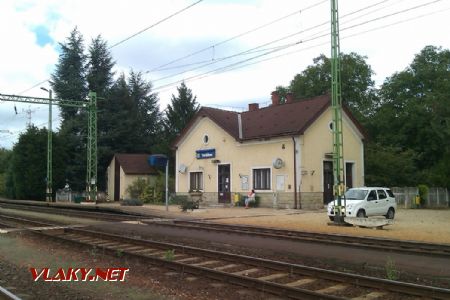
(91, 106)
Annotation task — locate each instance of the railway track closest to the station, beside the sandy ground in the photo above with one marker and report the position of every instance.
(409, 247)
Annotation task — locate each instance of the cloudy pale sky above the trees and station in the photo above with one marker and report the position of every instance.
(229, 52)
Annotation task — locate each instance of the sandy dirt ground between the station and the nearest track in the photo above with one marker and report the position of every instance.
(424, 225)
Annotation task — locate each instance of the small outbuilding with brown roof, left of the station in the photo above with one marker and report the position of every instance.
(123, 170)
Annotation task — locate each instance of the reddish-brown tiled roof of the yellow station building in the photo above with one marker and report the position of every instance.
(276, 120)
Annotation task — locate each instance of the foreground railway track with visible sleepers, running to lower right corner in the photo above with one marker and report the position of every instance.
(269, 276)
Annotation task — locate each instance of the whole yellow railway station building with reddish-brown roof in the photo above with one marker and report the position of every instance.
(283, 152)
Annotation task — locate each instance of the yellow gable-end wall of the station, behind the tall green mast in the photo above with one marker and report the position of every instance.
(317, 140)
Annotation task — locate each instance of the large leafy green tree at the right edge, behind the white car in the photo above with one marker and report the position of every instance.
(414, 113)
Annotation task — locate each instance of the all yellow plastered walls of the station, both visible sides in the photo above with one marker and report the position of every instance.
(243, 157)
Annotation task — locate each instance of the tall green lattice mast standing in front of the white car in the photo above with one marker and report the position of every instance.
(336, 104)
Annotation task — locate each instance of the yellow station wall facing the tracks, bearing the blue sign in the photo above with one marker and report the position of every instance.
(242, 157)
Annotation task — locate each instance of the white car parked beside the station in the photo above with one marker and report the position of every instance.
(366, 202)
